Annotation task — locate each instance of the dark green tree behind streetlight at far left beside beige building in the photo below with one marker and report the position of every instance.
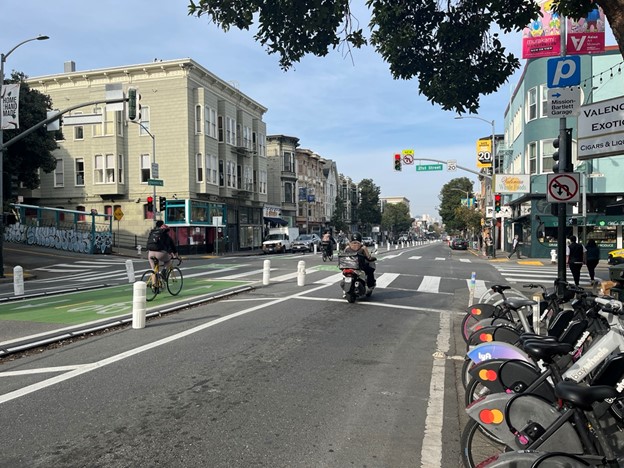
(26, 157)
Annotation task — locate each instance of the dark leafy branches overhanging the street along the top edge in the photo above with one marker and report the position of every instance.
(452, 48)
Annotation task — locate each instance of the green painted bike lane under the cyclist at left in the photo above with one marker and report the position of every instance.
(95, 304)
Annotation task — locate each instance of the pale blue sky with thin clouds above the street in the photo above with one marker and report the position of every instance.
(345, 108)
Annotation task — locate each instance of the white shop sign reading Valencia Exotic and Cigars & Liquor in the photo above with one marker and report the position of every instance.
(601, 129)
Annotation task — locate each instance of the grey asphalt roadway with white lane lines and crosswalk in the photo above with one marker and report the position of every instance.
(280, 376)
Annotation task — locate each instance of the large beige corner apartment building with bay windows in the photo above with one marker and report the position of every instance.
(199, 136)
